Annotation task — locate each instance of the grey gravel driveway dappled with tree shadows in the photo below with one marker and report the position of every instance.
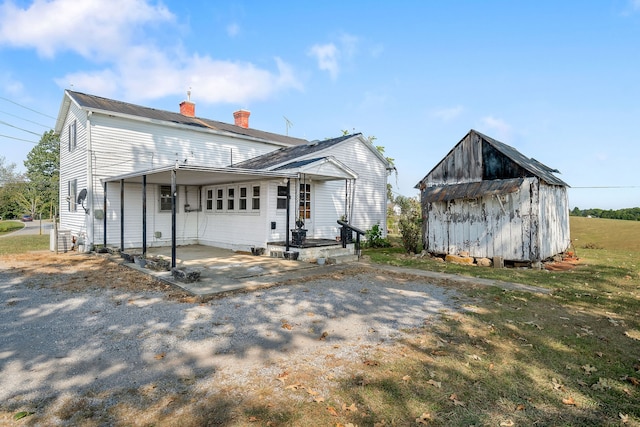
(57, 344)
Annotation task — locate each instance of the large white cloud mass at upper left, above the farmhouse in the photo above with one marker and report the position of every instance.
(132, 67)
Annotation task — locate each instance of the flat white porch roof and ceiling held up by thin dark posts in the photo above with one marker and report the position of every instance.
(199, 175)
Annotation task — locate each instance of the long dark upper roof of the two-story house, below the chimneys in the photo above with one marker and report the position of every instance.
(100, 104)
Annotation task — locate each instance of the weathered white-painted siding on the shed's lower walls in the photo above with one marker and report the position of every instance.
(529, 224)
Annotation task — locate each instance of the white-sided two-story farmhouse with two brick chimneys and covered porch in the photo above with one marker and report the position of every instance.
(132, 177)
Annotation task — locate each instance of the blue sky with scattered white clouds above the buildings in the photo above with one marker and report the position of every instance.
(558, 80)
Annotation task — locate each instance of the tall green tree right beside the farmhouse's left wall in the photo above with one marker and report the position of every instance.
(43, 174)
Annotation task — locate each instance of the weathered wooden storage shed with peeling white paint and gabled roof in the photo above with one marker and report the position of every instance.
(488, 199)
